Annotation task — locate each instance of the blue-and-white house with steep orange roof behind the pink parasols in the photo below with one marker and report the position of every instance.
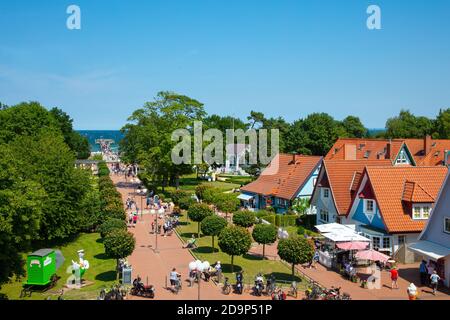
(392, 204)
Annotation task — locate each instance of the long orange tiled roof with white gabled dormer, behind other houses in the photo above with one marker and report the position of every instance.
(417, 152)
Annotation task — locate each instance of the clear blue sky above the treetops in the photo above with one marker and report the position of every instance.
(283, 58)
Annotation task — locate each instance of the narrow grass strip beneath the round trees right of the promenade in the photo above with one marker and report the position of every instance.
(251, 265)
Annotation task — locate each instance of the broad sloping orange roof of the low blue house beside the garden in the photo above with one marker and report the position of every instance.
(293, 172)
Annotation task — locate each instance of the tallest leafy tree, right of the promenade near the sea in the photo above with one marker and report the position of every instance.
(148, 135)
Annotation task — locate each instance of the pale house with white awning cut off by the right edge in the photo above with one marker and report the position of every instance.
(434, 241)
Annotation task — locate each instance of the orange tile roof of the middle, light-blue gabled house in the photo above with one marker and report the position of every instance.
(341, 175)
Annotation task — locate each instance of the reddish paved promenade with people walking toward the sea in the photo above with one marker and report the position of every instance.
(155, 266)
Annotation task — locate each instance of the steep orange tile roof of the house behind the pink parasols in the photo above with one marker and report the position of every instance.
(392, 185)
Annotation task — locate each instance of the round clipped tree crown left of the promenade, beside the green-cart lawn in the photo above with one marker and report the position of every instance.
(119, 244)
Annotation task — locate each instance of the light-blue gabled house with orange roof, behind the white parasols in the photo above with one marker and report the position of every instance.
(335, 188)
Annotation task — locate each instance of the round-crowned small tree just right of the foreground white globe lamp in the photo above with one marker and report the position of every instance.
(235, 241)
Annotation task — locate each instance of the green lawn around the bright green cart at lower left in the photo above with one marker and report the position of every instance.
(101, 271)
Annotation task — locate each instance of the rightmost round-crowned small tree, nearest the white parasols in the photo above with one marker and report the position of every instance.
(296, 250)
